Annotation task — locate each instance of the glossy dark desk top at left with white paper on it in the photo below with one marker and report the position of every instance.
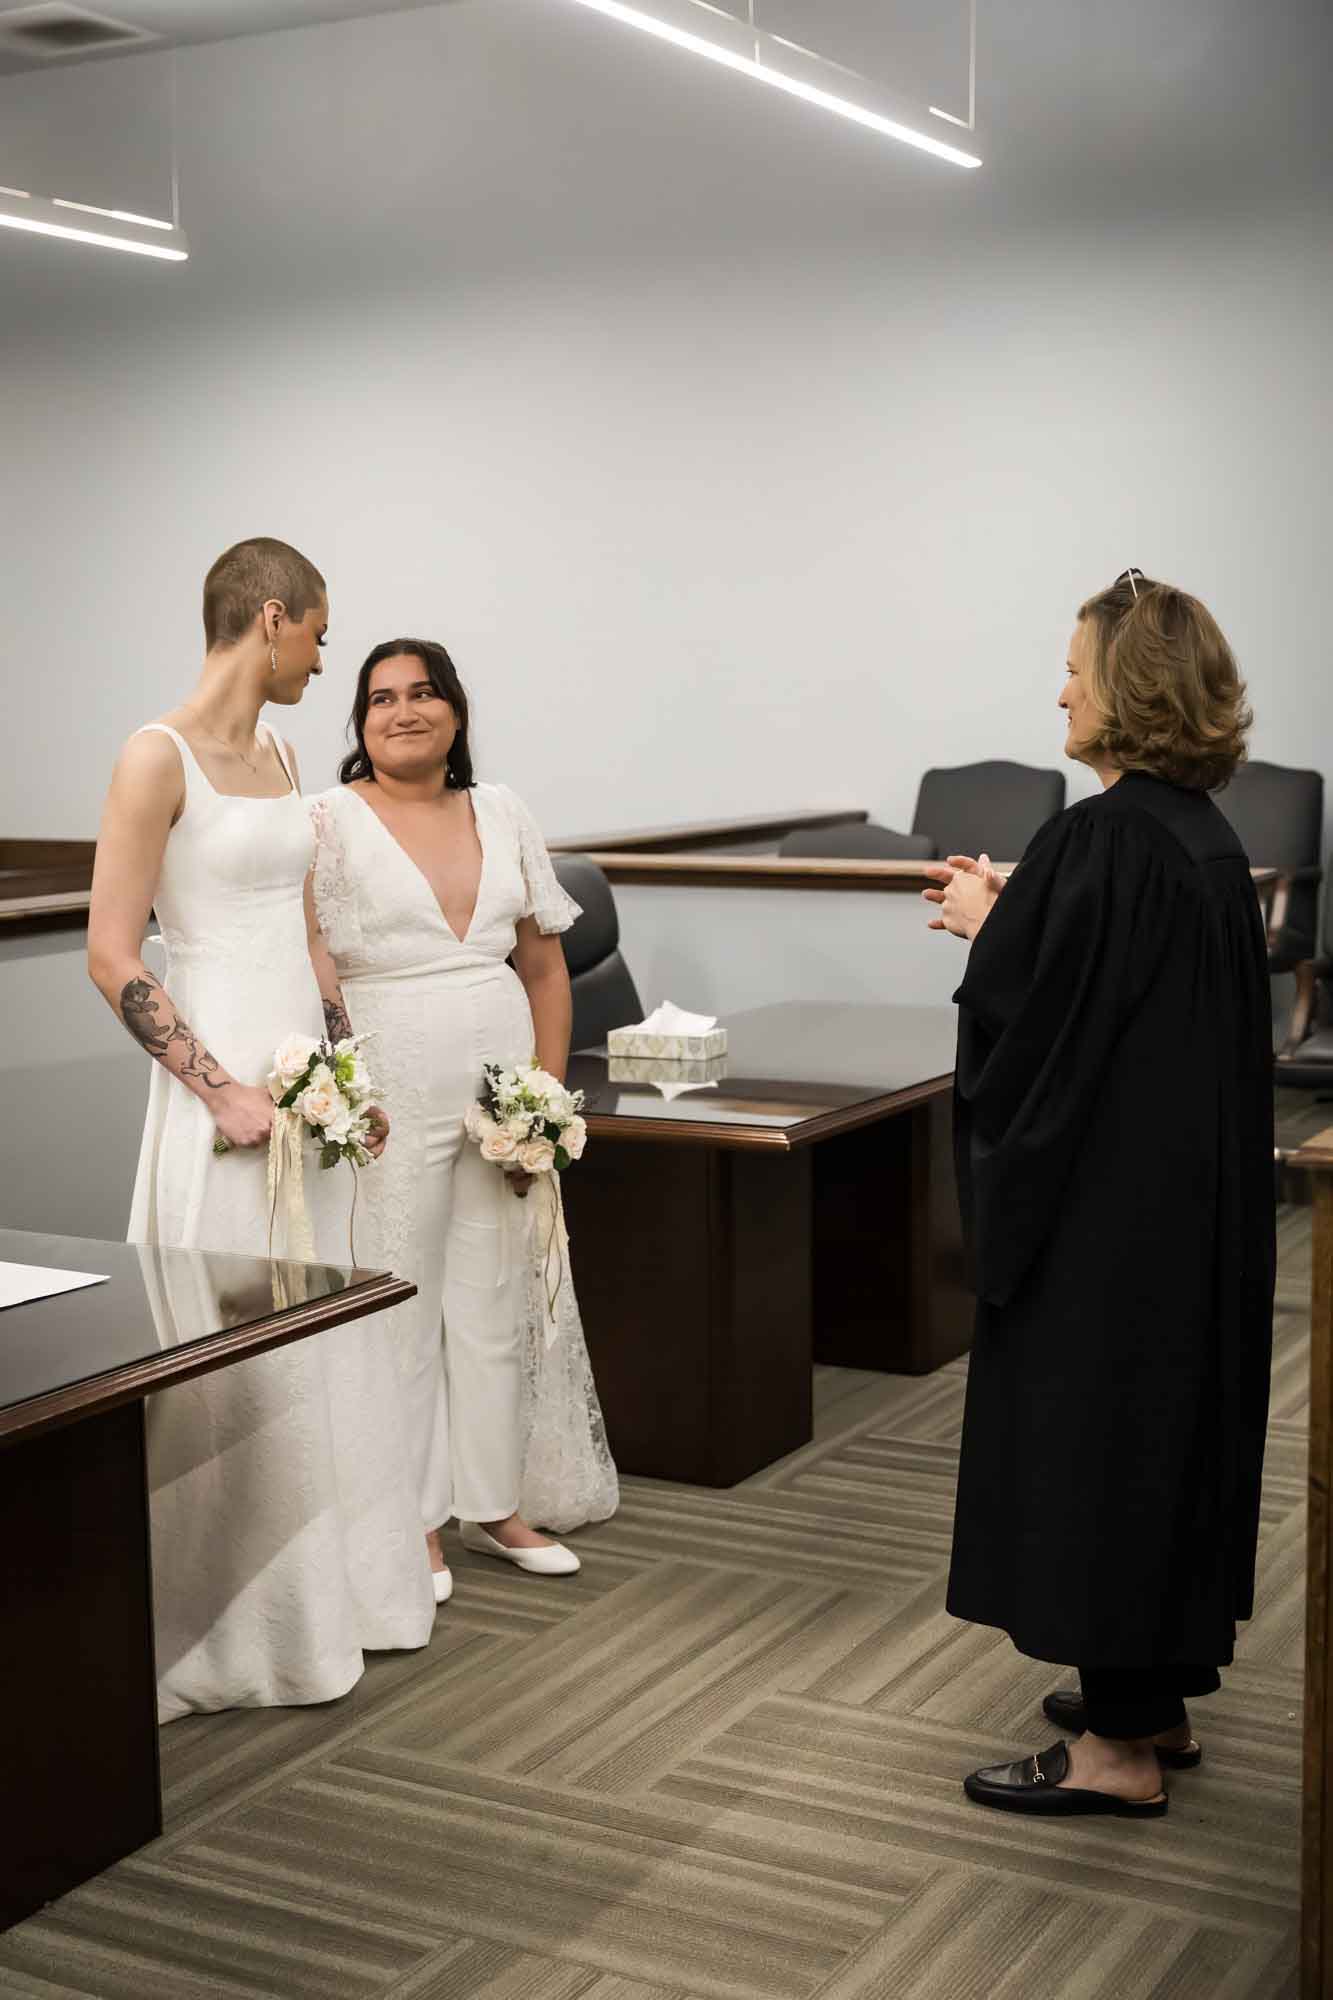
(163, 1317)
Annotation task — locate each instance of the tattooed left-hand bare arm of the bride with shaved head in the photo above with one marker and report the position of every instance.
(145, 801)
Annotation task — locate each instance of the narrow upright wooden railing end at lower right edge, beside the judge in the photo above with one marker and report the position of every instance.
(1318, 1761)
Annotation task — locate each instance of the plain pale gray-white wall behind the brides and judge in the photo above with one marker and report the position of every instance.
(742, 463)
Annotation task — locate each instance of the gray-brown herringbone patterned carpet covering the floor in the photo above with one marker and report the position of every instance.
(720, 1765)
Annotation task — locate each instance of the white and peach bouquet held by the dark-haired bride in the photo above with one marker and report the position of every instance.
(527, 1123)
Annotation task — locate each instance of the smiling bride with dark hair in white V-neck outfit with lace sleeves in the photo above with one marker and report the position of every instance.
(443, 913)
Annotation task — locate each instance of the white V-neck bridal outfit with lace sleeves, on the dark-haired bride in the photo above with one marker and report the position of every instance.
(499, 1419)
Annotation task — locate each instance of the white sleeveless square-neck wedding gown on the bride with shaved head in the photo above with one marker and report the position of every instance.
(285, 1529)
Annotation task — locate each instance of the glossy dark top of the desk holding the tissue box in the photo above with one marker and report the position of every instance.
(792, 1075)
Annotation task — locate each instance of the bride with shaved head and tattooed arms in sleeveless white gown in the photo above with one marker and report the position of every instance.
(283, 1523)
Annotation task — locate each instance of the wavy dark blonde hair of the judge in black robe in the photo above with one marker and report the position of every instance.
(1166, 685)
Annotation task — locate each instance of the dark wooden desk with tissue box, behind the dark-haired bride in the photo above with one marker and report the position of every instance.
(802, 1209)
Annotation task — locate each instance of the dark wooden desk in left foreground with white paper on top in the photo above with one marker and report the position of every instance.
(79, 1741)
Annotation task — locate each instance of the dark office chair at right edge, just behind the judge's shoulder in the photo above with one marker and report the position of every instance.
(1278, 815)
